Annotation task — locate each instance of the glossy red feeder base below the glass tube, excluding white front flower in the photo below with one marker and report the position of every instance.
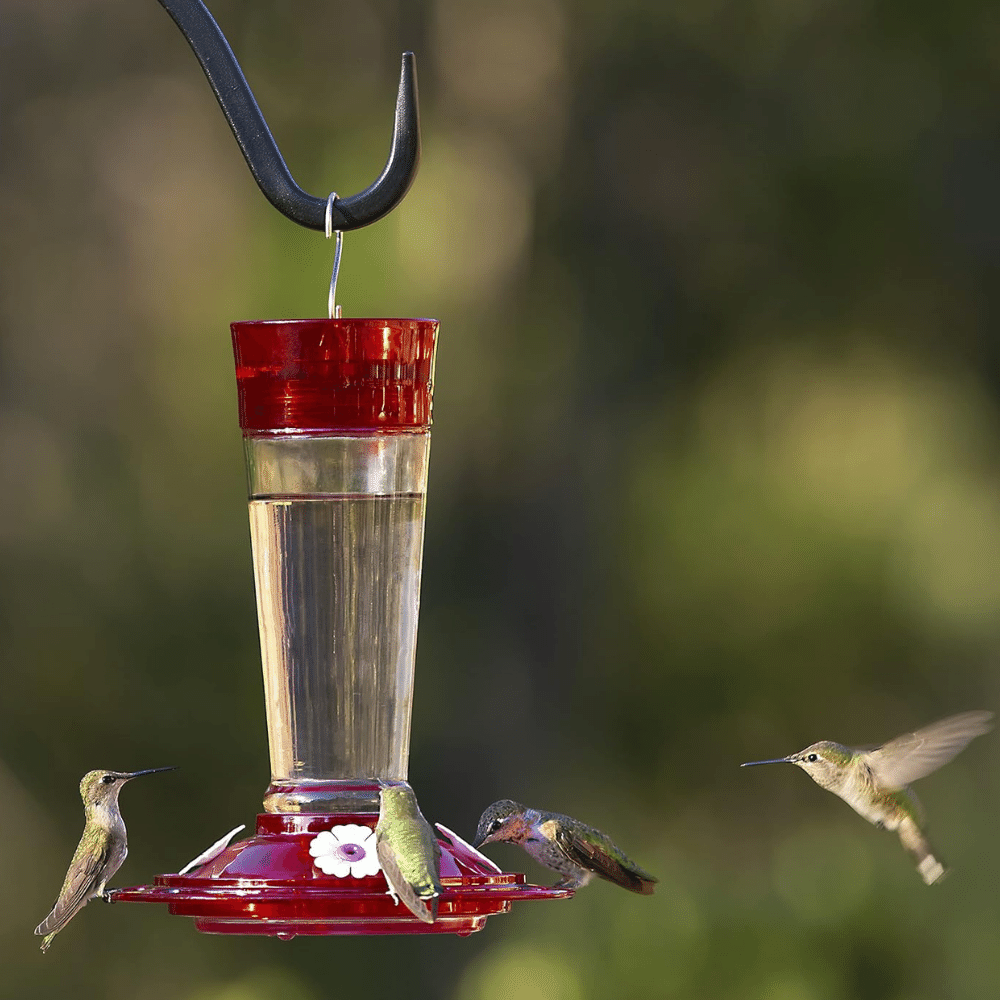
(270, 884)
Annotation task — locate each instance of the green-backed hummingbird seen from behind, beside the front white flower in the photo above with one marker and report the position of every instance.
(408, 852)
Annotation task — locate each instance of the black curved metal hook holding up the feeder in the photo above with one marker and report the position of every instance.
(261, 152)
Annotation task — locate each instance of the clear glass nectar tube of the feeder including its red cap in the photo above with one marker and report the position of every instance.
(336, 422)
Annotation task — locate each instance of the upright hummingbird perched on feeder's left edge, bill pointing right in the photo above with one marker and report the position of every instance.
(101, 850)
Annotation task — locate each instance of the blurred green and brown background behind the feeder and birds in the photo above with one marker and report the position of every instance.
(715, 470)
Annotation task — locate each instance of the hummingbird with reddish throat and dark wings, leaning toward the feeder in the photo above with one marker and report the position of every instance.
(577, 851)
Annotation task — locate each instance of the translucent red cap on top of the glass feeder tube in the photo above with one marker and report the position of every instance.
(314, 375)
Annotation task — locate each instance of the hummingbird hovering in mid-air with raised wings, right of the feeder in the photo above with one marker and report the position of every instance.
(874, 780)
